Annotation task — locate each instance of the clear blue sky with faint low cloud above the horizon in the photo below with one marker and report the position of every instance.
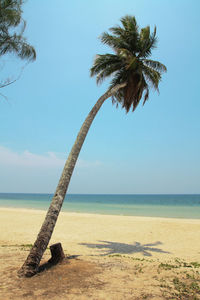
(153, 150)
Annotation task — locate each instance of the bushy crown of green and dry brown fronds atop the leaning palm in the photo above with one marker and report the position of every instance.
(129, 64)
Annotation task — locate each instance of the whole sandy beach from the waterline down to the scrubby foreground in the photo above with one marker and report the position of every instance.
(117, 257)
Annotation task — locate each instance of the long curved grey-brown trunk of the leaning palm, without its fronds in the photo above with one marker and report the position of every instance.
(30, 266)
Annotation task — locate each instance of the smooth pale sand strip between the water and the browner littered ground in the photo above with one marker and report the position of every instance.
(93, 234)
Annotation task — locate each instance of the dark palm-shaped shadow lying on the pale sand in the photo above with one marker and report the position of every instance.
(122, 248)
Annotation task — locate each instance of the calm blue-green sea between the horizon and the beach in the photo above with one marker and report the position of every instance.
(167, 206)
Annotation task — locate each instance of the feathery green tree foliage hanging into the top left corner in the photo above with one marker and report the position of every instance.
(13, 41)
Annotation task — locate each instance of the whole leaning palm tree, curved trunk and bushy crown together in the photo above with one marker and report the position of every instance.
(132, 73)
